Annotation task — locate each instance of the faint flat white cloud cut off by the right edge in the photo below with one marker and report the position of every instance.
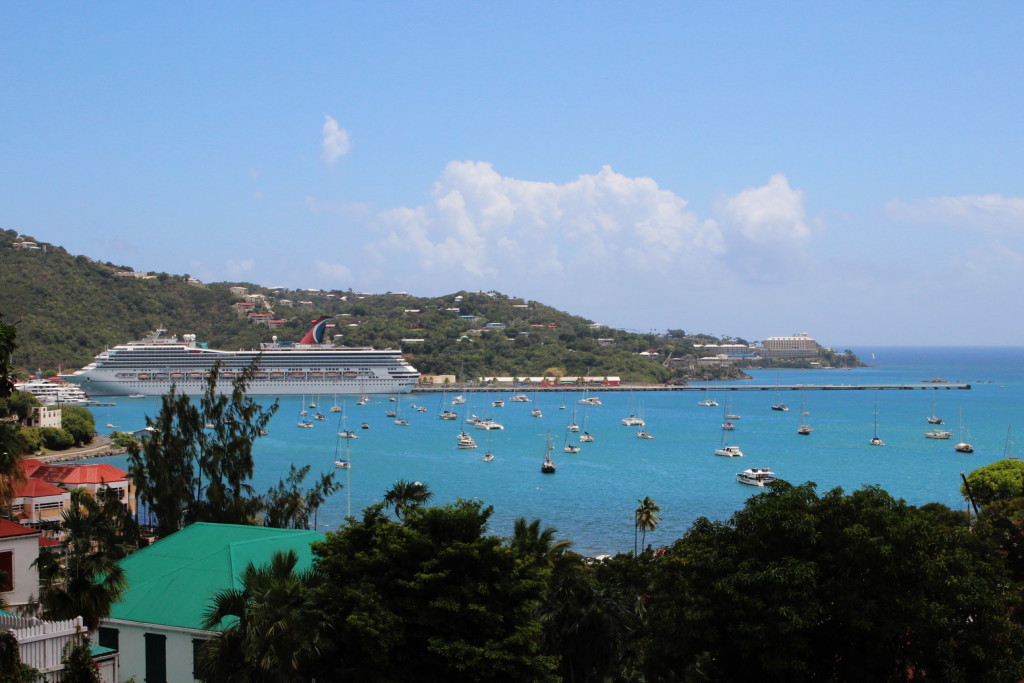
(990, 214)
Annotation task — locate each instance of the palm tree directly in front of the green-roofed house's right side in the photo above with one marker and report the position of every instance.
(271, 634)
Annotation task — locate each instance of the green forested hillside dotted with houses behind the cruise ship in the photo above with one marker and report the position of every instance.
(68, 309)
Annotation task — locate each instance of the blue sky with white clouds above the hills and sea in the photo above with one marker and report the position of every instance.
(851, 170)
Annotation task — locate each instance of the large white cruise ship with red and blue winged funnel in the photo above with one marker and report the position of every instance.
(152, 366)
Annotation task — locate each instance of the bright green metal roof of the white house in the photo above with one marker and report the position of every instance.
(173, 581)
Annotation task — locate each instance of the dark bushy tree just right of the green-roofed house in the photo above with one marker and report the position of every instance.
(432, 597)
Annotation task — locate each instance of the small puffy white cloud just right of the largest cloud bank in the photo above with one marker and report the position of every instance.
(771, 215)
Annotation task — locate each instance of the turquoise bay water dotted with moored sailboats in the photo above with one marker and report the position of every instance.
(592, 498)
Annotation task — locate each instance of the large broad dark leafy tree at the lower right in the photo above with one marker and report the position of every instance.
(798, 587)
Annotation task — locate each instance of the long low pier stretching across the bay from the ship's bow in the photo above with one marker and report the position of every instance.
(460, 389)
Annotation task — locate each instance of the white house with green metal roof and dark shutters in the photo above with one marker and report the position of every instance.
(158, 625)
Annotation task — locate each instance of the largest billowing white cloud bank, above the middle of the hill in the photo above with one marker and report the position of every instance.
(483, 224)
